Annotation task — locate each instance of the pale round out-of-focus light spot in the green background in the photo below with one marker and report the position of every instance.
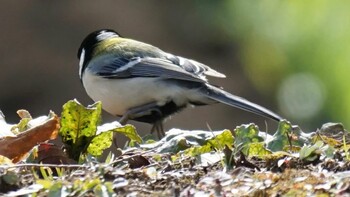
(301, 96)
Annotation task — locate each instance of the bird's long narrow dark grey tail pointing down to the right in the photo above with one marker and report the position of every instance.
(222, 96)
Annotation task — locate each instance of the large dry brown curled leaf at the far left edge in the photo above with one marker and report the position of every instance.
(15, 148)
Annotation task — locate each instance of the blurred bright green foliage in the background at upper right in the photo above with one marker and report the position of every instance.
(298, 51)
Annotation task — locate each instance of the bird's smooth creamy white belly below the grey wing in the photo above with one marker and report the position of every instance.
(119, 95)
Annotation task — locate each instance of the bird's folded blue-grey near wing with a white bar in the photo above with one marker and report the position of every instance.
(143, 67)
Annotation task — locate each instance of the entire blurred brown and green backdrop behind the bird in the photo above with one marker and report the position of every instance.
(292, 57)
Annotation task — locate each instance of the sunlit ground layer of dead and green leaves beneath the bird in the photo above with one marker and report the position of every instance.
(242, 162)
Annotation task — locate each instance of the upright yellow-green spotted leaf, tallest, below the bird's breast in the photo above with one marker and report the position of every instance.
(79, 126)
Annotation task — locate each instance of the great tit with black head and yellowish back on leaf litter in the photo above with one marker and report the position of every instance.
(138, 81)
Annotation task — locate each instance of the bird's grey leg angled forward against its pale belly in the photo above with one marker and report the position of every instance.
(137, 112)
